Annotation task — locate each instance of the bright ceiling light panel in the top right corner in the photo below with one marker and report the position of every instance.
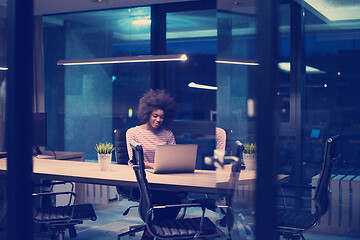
(334, 10)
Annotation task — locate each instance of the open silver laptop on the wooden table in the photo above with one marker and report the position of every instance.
(179, 158)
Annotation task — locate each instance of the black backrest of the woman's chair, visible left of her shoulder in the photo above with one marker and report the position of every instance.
(121, 153)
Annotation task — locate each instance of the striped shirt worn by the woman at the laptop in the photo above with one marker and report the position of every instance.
(148, 140)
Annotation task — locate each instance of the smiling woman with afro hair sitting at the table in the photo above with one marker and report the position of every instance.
(157, 108)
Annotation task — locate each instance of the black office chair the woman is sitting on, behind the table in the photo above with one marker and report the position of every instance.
(132, 194)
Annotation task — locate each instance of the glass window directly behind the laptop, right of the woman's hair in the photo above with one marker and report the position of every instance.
(193, 33)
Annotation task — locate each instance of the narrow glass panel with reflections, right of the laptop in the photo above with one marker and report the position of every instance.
(235, 110)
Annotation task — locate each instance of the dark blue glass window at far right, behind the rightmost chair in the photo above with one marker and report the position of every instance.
(331, 83)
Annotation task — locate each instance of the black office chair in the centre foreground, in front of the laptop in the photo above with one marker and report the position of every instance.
(183, 228)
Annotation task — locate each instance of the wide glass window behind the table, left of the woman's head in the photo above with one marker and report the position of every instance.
(86, 103)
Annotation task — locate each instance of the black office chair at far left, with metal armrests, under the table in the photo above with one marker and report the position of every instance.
(58, 219)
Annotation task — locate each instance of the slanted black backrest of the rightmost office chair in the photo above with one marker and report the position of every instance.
(322, 191)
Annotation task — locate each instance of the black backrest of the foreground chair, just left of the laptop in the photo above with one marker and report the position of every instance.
(145, 195)
